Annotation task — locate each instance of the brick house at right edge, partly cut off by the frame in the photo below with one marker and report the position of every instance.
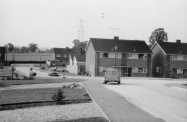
(169, 59)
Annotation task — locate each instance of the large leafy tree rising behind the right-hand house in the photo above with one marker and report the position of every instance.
(158, 35)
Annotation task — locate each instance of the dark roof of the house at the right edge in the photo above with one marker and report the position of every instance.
(174, 48)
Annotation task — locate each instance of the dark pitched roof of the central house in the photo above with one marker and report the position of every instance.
(107, 45)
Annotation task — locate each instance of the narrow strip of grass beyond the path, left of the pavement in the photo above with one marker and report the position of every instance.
(5, 83)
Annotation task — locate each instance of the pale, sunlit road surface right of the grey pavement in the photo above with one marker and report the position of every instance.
(162, 98)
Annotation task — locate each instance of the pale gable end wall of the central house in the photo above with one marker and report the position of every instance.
(90, 59)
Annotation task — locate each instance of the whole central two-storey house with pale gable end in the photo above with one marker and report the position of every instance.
(130, 57)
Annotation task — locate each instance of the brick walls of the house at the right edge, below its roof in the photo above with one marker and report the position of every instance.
(166, 64)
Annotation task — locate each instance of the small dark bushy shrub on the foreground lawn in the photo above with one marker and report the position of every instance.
(58, 96)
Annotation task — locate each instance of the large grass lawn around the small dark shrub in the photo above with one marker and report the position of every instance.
(20, 98)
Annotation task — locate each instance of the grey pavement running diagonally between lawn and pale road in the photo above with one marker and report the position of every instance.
(116, 107)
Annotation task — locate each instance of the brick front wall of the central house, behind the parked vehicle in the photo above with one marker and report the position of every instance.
(120, 62)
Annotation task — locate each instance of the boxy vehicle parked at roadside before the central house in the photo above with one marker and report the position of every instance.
(112, 75)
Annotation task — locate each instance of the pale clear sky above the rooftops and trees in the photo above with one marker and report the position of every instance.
(56, 23)
